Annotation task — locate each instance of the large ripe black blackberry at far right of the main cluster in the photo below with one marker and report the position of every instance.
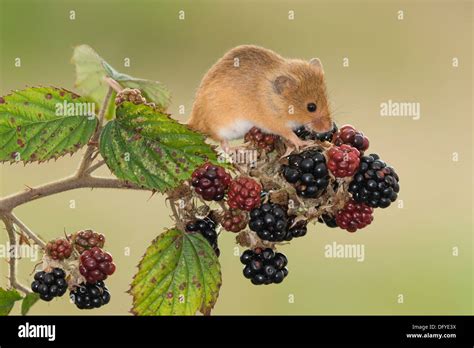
(375, 183)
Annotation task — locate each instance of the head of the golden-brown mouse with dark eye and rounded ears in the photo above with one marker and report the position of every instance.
(301, 93)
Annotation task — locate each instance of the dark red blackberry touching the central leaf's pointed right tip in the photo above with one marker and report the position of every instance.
(210, 182)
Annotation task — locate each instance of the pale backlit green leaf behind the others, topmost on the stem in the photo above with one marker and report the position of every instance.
(91, 70)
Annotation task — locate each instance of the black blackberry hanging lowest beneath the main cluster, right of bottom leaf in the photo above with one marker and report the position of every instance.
(264, 266)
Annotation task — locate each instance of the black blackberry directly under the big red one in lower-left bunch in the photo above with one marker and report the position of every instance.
(88, 296)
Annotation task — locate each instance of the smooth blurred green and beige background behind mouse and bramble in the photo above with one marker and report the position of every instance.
(407, 250)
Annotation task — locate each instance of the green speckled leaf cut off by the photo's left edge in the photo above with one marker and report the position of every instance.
(40, 123)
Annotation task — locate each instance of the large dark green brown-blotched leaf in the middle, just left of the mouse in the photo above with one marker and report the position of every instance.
(150, 149)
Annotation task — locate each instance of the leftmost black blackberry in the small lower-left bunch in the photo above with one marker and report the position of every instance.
(50, 284)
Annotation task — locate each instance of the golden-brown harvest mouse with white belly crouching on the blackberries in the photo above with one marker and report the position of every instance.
(253, 86)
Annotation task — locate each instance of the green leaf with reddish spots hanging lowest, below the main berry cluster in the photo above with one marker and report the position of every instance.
(178, 275)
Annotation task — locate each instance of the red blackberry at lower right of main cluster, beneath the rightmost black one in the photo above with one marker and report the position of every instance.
(354, 216)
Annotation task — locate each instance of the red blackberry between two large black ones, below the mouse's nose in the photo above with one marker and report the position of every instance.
(343, 160)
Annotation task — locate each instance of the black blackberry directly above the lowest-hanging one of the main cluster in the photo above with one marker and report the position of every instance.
(270, 222)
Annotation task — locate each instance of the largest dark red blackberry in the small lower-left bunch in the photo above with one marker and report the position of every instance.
(96, 265)
